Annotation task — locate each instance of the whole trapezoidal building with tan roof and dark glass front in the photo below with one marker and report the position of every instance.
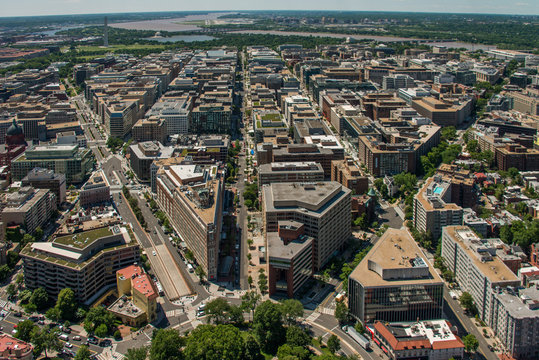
(395, 282)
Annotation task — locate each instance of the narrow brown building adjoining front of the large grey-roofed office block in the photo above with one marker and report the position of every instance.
(290, 258)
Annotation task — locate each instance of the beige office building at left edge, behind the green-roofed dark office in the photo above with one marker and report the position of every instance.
(29, 208)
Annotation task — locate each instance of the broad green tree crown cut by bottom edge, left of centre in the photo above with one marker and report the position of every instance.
(212, 342)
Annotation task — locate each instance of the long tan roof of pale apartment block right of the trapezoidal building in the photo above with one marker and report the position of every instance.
(494, 269)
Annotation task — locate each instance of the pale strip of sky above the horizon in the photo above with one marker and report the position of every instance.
(56, 7)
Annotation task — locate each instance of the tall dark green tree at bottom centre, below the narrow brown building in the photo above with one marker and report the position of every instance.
(268, 327)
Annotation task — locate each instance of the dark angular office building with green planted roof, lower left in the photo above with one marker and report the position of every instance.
(85, 261)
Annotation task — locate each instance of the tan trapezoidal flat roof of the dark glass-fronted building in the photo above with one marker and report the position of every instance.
(393, 250)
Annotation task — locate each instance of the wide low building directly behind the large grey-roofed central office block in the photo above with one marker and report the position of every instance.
(290, 172)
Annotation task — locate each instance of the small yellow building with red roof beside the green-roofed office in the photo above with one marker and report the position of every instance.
(137, 297)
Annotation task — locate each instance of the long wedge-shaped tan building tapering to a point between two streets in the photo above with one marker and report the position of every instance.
(192, 198)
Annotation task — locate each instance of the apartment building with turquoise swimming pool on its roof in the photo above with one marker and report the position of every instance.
(433, 208)
